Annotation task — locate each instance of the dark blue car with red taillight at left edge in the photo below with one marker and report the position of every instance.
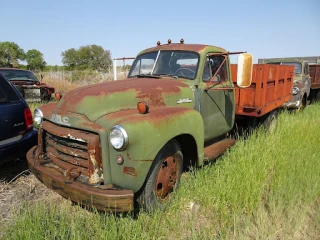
(17, 134)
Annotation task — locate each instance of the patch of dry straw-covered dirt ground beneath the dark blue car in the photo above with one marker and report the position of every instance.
(19, 186)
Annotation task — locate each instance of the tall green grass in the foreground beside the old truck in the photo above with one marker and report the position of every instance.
(265, 187)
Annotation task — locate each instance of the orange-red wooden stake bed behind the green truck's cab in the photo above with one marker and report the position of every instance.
(271, 87)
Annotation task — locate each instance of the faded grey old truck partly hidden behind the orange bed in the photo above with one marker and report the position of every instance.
(301, 83)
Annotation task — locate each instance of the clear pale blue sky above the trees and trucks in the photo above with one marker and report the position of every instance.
(270, 28)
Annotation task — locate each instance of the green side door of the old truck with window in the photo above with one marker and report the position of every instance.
(217, 97)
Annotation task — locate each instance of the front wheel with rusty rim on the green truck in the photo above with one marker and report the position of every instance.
(163, 178)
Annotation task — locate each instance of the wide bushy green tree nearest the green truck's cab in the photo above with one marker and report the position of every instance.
(87, 57)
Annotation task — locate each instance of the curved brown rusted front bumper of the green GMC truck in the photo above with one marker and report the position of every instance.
(109, 200)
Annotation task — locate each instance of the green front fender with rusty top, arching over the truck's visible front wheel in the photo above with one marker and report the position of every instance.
(148, 133)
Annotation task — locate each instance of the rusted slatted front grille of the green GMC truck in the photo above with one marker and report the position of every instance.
(75, 152)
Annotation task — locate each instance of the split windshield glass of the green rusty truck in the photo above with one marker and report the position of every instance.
(178, 64)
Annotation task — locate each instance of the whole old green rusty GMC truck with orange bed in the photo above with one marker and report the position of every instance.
(114, 144)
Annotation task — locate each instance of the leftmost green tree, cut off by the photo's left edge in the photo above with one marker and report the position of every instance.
(10, 54)
